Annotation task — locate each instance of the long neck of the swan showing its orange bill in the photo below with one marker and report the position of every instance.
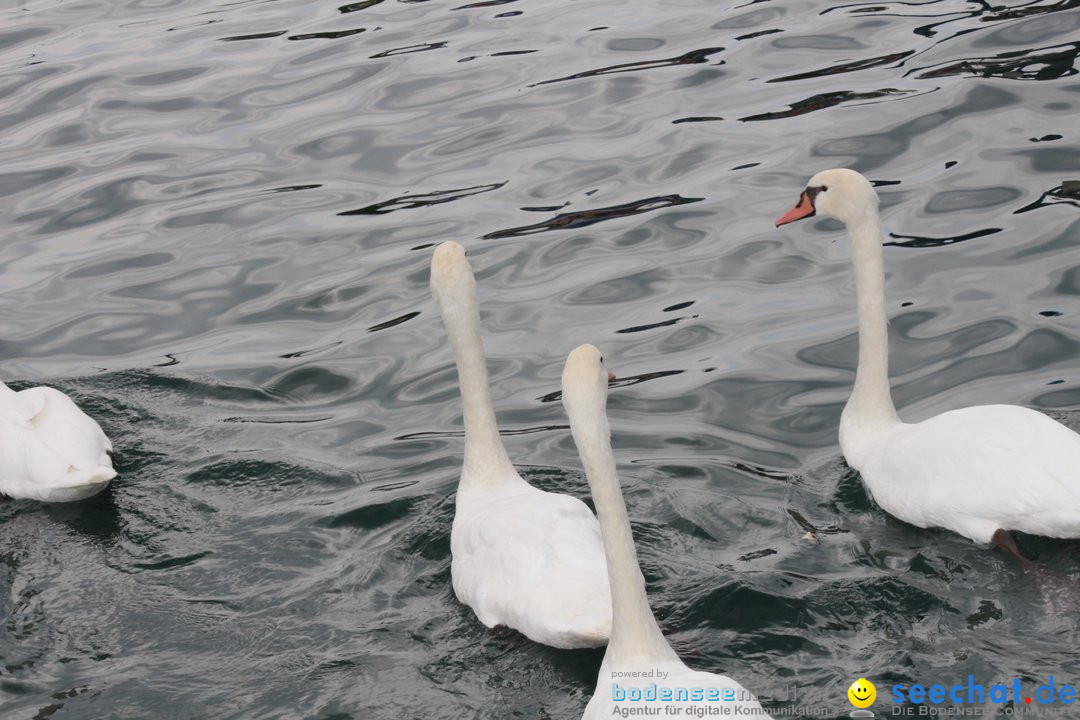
(871, 400)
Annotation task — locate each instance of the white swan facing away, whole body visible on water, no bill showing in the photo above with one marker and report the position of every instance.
(524, 559)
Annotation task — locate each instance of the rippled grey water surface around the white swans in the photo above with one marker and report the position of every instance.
(218, 222)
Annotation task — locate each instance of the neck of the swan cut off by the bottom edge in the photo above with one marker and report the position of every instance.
(636, 636)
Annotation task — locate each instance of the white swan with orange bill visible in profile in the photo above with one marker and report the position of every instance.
(979, 471)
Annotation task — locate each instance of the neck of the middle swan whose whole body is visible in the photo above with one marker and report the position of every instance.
(485, 457)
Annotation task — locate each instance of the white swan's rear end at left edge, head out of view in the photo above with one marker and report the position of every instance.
(50, 450)
